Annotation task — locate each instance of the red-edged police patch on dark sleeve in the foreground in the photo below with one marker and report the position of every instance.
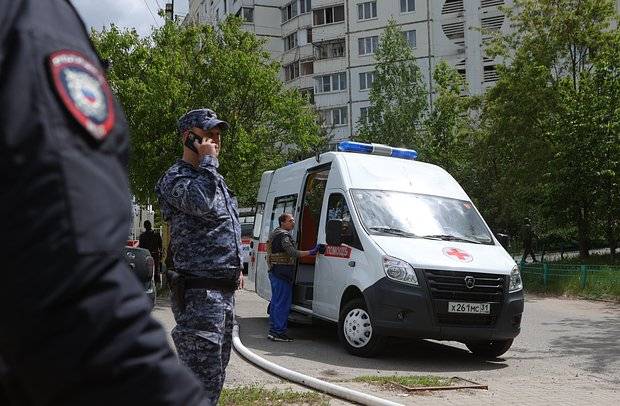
(84, 91)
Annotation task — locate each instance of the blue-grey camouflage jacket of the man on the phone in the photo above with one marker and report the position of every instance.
(204, 219)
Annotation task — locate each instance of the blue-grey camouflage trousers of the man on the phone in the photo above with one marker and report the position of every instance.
(203, 336)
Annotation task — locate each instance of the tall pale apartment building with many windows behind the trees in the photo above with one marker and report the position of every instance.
(326, 47)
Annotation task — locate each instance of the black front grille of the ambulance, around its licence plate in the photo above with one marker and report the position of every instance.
(449, 286)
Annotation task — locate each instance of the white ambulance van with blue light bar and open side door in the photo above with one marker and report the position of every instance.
(406, 253)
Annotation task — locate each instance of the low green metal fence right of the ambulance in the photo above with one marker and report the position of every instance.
(556, 278)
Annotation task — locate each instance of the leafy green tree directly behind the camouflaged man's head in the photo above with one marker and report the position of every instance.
(176, 69)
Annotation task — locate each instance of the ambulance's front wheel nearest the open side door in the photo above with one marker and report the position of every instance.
(355, 330)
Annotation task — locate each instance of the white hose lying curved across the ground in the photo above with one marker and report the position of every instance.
(305, 380)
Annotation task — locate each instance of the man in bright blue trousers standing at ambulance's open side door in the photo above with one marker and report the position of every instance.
(282, 257)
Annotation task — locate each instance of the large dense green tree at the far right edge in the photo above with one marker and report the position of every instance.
(547, 117)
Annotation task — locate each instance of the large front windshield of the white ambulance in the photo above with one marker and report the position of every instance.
(420, 216)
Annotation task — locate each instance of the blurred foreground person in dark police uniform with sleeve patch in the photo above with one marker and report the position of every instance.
(75, 327)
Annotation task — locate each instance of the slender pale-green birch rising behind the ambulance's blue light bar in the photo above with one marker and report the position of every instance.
(398, 97)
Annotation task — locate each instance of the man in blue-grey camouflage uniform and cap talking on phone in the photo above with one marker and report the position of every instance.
(206, 242)
